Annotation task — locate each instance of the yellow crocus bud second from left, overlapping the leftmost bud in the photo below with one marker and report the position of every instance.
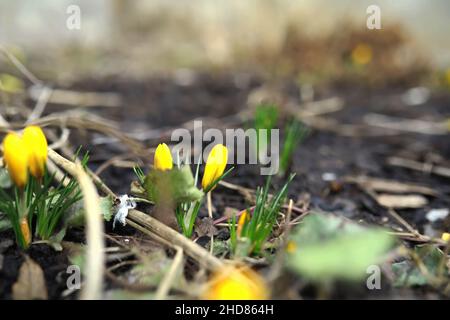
(35, 141)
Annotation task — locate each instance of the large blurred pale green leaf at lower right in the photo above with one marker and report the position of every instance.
(329, 247)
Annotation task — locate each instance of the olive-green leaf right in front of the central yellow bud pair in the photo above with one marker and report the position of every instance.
(176, 185)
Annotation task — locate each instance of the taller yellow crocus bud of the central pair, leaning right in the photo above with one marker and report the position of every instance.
(215, 165)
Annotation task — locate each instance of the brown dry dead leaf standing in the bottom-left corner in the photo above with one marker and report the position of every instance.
(30, 284)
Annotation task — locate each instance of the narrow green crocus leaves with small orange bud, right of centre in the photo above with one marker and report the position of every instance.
(254, 227)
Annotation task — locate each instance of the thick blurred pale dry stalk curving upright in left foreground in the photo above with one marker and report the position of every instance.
(95, 260)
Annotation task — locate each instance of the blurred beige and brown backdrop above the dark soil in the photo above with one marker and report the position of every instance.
(315, 40)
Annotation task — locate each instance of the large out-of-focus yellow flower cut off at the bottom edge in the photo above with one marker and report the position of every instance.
(232, 283)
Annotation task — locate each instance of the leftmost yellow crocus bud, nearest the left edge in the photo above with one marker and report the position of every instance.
(15, 154)
